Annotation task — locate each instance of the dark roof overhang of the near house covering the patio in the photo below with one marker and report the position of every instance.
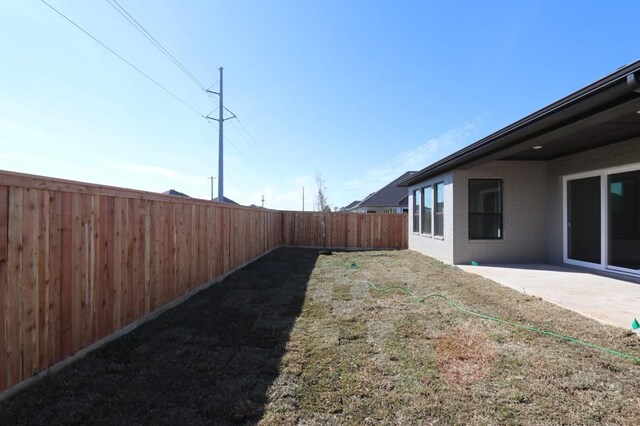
(601, 113)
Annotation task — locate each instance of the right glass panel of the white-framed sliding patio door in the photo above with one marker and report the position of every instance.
(624, 220)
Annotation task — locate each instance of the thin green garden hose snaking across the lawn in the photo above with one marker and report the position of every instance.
(454, 305)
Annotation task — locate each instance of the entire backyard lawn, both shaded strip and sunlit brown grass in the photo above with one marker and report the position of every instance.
(302, 338)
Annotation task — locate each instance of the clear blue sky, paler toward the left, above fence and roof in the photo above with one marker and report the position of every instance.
(359, 91)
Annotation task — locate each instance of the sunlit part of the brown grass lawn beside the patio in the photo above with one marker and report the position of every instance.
(357, 356)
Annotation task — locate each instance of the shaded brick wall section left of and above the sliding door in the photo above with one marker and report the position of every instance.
(619, 154)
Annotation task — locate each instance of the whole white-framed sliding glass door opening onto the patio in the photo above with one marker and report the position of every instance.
(602, 219)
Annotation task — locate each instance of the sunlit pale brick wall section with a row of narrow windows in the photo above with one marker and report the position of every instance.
(439, 247)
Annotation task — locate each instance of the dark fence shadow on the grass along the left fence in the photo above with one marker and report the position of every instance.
(210, 360)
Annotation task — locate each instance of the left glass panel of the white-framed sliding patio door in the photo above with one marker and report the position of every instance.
(584, 220)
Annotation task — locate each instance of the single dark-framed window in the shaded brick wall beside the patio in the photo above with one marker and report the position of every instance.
(485, 209)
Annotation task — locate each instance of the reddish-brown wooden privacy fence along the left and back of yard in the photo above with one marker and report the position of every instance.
(79, 262)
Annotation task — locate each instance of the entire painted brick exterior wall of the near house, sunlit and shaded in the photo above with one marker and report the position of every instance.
(532, 207)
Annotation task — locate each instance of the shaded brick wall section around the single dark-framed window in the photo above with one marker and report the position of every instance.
(524, 214)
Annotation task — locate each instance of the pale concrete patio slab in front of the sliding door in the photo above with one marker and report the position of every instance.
(608, 300)
